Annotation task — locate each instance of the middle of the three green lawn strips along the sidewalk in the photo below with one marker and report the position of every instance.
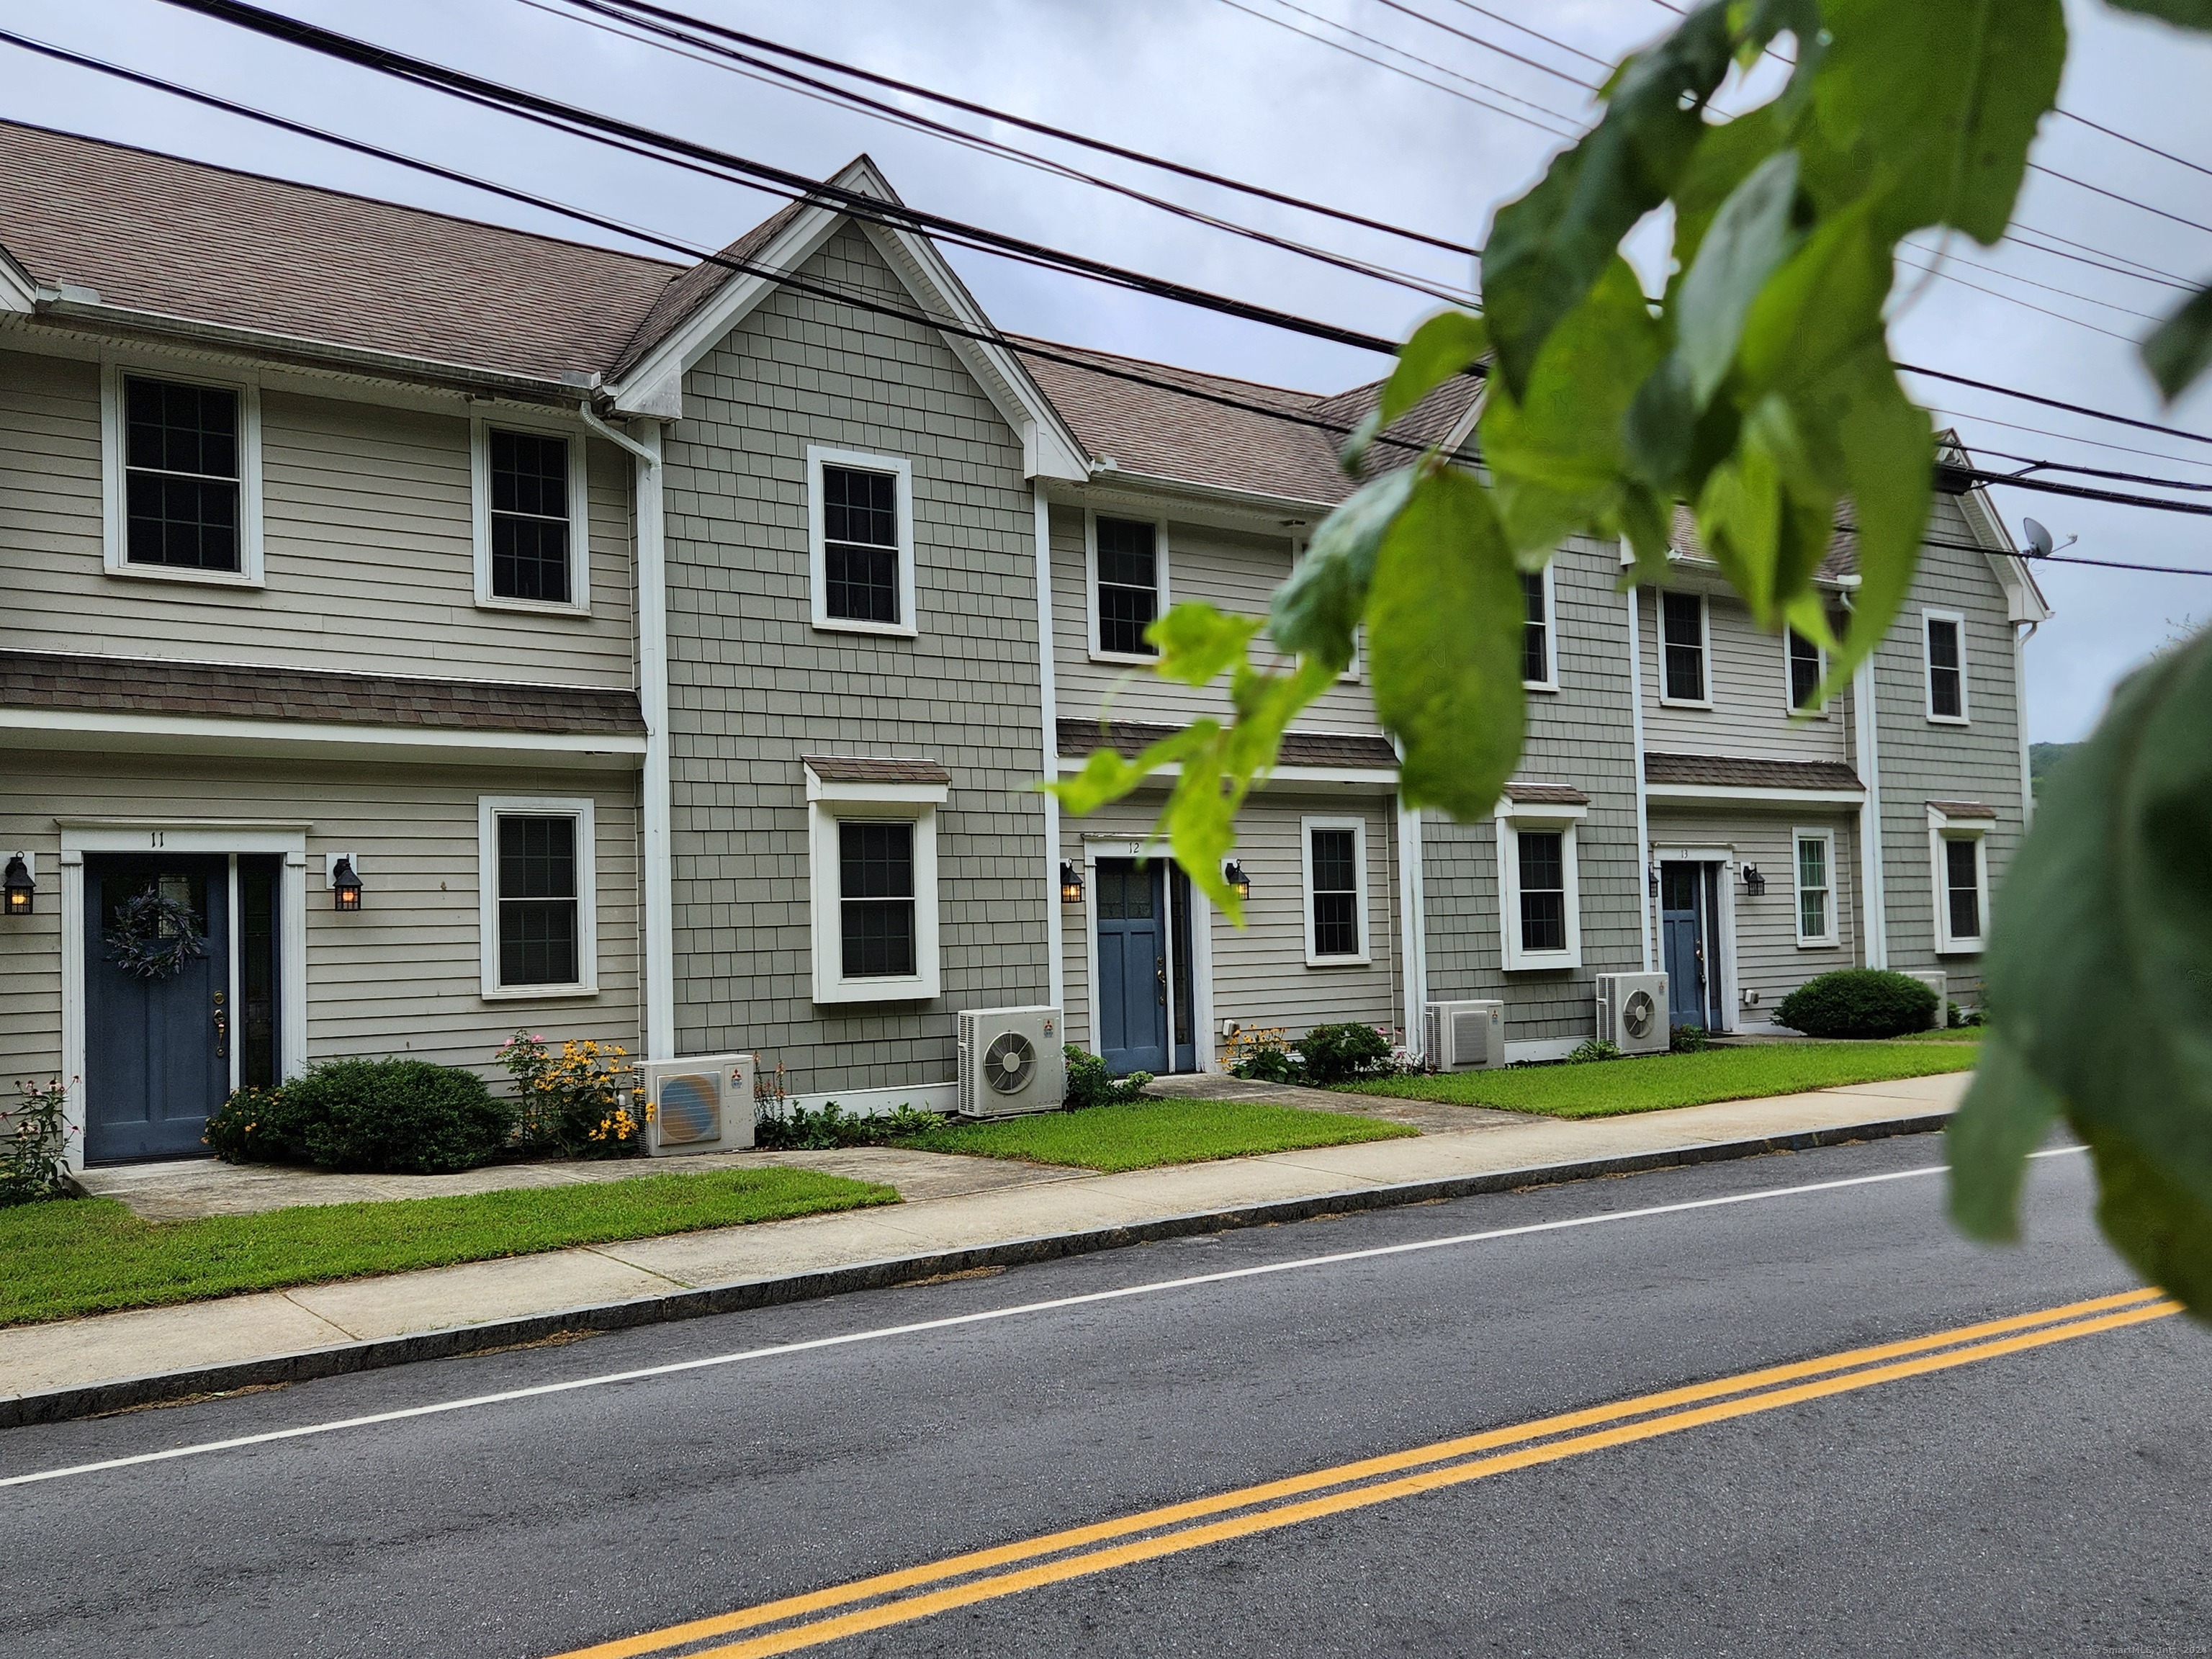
(1149, 1134)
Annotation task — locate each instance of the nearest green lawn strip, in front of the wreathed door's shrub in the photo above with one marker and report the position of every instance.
(92, 1255)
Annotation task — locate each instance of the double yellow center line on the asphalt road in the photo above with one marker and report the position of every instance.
(1008, 1569)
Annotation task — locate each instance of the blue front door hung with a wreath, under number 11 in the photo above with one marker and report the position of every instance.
(156, 1050)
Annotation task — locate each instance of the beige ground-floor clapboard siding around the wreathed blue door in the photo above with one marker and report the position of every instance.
(401, 977)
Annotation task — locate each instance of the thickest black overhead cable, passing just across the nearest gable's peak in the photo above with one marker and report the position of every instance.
(629, 136)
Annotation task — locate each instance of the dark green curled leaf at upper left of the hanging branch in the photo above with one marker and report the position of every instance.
(1552, 247)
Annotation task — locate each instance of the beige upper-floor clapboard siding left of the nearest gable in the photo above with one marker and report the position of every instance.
(368, 547)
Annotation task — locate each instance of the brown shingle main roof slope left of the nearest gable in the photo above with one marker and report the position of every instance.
(200, 242)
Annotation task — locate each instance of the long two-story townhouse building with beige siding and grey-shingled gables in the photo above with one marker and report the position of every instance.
(463, 632)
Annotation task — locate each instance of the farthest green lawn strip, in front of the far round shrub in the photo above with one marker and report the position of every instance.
(1614, 1087)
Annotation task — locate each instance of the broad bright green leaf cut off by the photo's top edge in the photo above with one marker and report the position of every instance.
(1930, 107)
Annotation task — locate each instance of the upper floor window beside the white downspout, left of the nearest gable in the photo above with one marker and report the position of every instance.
(532, 545)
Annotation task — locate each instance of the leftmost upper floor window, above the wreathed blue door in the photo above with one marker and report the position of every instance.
(182, 474)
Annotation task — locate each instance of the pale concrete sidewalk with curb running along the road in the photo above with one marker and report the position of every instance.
(109, 1361)
